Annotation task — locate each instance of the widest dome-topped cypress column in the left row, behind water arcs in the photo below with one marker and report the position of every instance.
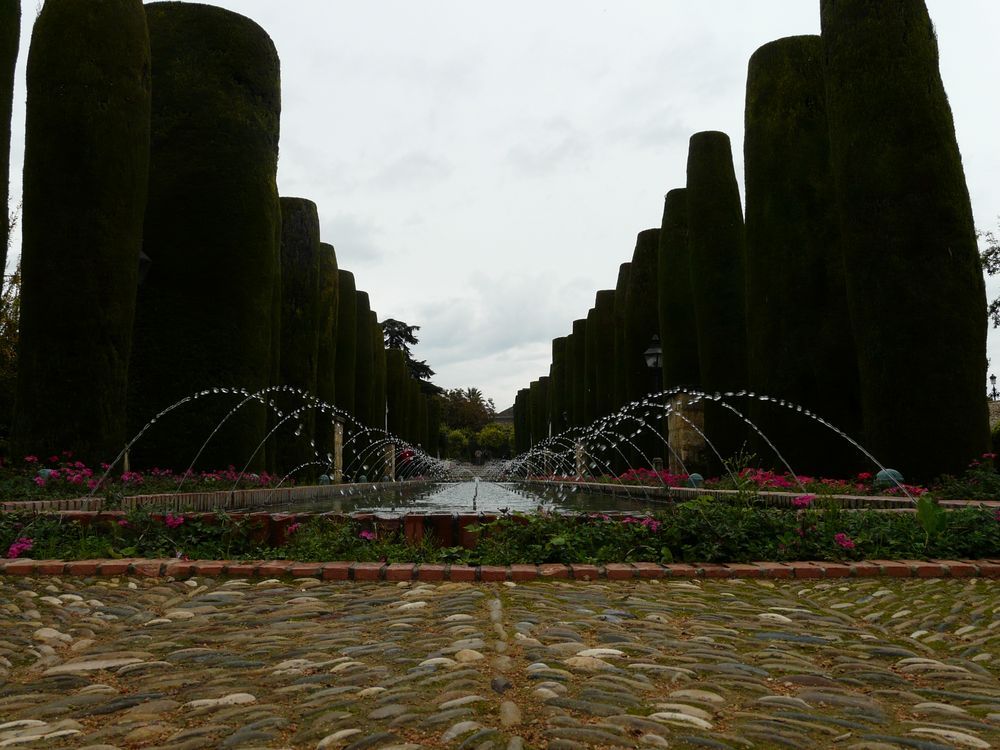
(206, 309)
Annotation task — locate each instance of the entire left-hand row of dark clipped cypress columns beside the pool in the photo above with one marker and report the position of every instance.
(159, 261)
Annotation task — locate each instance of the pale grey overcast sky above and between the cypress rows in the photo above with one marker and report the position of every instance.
(483, 168)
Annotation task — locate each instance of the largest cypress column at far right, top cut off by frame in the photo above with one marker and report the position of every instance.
(914, 283)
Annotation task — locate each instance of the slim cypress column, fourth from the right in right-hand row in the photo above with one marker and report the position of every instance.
(678, 334)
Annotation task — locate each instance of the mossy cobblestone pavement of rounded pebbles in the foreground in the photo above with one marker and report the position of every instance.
(125, 662)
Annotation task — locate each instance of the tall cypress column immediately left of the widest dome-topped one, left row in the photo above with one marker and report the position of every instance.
(86, 171)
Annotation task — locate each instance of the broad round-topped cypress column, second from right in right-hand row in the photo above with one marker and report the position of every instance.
(799, 340)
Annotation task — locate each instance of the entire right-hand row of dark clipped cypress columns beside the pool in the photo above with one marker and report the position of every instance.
(852, 289)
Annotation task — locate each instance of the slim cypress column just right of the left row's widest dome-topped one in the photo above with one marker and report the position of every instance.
(300, 319)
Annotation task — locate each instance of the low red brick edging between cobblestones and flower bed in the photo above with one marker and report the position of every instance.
(369, 571)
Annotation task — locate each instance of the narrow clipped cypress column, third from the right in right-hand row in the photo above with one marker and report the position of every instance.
(716, 246)
